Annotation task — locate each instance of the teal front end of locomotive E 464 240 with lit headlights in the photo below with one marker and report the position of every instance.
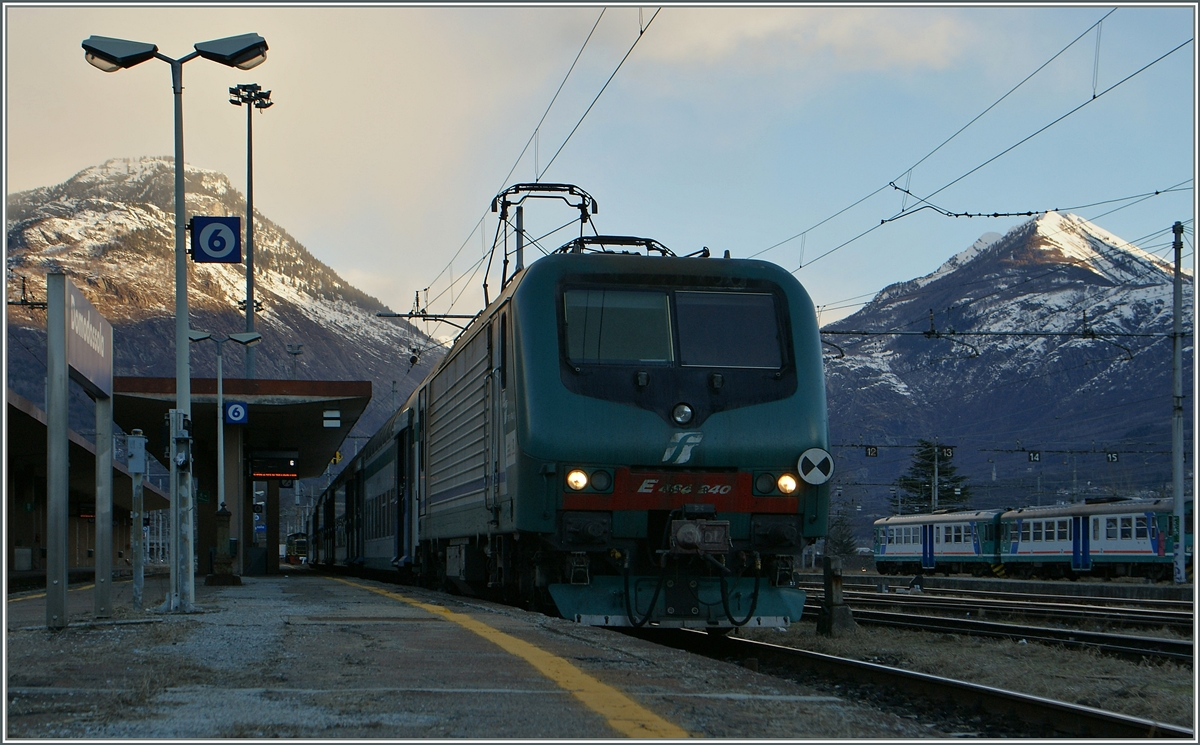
(655, 437)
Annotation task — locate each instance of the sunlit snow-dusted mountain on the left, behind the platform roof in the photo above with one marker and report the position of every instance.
(111, 229)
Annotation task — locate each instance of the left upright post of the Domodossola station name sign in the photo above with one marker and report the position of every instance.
(57, 454)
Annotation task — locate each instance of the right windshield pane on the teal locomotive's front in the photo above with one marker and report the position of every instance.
(728, 331)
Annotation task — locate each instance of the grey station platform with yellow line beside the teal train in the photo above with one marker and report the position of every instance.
(320, 657)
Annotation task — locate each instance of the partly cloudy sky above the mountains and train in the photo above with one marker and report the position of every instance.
(735, 129)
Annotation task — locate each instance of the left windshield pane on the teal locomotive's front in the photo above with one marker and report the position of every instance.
(619, 326)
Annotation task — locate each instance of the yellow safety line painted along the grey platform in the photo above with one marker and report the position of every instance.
(622, 713)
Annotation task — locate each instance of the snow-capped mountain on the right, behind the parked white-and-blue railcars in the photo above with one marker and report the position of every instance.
(1052, 339)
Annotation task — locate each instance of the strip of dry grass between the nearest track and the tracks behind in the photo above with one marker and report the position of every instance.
(1157, 692)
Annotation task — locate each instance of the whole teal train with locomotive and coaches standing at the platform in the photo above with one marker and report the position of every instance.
(628, 438)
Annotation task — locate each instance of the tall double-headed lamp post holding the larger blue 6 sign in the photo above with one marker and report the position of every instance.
(110, 56)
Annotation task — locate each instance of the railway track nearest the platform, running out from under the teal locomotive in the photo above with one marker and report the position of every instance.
(1045, 714)
